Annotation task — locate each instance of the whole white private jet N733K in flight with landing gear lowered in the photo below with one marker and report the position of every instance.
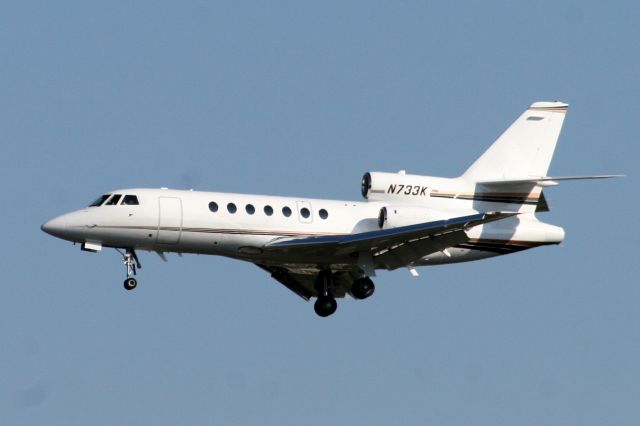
(328, 249)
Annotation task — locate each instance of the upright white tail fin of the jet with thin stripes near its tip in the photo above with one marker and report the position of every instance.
(525, 149)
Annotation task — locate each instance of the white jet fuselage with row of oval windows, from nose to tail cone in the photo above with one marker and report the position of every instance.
(187, 222)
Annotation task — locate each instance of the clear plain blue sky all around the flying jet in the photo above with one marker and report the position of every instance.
(302, 98)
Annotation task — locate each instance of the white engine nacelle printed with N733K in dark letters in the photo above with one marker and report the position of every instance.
(378, 186)
